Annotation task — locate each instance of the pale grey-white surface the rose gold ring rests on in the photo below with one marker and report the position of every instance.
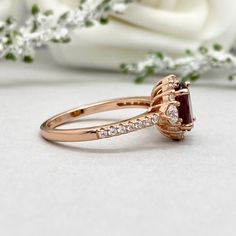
(138, 184)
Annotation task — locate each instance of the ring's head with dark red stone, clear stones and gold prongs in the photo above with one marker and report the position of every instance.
(171, 99)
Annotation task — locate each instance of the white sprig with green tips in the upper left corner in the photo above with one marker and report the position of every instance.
(19, 43)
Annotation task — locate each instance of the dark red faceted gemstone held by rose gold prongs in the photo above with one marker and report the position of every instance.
(185, 108)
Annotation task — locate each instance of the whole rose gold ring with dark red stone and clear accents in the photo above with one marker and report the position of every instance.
(168, 108)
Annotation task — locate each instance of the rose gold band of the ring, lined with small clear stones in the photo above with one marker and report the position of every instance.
(49, 132)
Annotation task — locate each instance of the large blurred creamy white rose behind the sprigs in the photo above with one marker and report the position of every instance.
(170, 26)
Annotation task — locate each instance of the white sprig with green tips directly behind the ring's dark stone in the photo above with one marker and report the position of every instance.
(189, 67)
